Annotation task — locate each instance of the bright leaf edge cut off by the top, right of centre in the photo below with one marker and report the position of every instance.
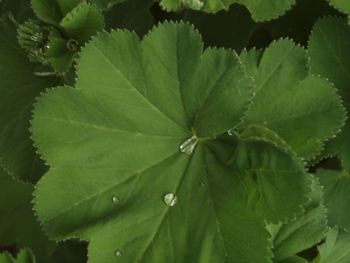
(261, 10)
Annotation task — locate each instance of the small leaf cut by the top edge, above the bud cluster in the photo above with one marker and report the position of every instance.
(53, 11)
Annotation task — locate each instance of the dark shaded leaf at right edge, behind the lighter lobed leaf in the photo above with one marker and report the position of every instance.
(330, 56)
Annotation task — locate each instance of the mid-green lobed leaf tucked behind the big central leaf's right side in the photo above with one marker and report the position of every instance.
(302, 109)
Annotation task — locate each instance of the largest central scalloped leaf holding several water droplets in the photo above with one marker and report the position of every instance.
(119, 177)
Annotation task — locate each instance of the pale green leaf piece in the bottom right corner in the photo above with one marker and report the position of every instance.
(336, 247)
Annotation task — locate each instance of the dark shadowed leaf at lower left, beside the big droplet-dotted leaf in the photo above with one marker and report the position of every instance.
(18, 224)
